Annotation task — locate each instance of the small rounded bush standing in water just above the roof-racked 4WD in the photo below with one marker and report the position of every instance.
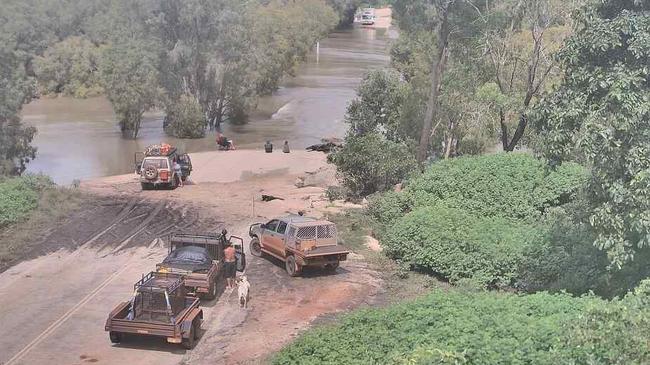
(185, 118)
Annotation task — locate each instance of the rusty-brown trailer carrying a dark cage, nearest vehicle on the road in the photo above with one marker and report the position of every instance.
(159, 307)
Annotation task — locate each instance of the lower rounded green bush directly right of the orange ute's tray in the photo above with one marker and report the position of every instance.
(449, 242)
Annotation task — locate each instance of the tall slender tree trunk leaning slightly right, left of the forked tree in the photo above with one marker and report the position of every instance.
(437, 71)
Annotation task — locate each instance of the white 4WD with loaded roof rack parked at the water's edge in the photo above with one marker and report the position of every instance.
(156, 166)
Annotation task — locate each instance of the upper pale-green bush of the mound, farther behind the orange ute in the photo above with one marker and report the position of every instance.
(514, 185)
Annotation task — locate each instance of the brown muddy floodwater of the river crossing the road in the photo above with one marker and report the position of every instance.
(80, 139)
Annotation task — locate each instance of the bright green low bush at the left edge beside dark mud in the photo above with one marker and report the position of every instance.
(19, 196)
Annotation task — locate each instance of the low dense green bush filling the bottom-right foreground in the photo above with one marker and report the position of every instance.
(457, 327)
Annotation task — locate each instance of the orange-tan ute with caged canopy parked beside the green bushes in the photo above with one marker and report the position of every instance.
(298, 241)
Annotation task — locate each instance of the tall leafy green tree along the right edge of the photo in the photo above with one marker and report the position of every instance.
(599, 115)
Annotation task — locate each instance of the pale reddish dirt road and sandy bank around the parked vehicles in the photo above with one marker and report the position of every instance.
(54, 307)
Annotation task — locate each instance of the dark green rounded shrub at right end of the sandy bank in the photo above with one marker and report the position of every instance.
(371, 163)
